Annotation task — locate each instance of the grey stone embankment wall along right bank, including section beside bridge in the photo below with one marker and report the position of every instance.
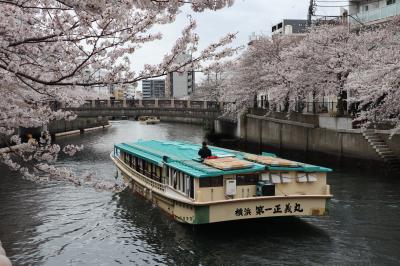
(277, 134)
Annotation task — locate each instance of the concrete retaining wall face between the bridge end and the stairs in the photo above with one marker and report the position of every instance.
(284, 135)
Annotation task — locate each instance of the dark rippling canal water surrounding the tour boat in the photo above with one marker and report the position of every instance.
(59, 224)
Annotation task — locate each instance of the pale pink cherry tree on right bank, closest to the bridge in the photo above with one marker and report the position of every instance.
(259, 68)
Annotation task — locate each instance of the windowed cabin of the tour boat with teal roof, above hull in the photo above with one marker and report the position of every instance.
(175, 166)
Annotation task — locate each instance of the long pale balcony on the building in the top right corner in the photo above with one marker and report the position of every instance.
(376, 15)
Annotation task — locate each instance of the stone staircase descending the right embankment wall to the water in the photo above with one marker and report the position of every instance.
(383, 150)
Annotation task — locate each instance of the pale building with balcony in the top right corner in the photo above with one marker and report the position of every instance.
(367, 12)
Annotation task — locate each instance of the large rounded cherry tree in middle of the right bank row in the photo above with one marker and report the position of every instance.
(320, 64)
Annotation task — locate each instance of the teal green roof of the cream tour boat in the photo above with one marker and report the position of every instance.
(183, 157)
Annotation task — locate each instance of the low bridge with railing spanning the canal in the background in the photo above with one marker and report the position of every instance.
(166, 109)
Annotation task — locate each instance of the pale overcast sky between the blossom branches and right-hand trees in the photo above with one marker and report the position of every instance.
(244, 17)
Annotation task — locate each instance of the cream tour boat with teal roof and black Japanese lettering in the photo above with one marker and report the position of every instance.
(229, 185)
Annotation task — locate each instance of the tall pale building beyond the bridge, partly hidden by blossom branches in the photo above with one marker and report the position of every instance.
(180, 84)
